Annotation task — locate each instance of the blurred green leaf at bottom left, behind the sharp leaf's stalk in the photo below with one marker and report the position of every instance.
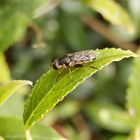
(12, 129)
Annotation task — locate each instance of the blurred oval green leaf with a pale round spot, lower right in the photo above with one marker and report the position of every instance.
(109, 116)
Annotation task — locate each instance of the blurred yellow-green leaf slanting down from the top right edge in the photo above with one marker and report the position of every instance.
(114, 13)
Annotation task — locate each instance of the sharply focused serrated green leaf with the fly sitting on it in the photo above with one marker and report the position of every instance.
(52, 87)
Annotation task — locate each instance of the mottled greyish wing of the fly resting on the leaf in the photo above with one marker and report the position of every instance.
(82, 57)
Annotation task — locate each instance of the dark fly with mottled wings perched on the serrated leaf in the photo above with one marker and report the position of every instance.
(77, 59)
